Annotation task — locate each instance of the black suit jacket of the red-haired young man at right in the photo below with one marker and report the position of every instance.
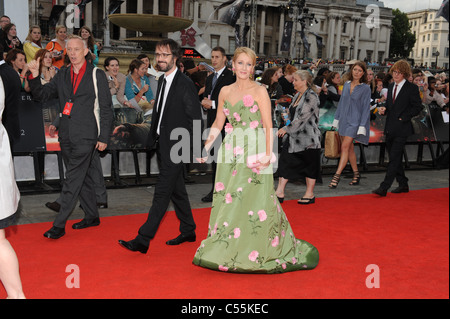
(407, 105)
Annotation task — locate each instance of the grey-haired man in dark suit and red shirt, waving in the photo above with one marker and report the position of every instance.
(84, 127)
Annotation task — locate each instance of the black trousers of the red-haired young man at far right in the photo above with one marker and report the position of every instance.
(395, 171)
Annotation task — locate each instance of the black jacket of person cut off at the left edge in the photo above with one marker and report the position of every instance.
(12, 85)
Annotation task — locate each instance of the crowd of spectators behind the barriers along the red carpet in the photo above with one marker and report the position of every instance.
(136, 89)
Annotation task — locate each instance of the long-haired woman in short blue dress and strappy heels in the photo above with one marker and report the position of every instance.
(352, 119)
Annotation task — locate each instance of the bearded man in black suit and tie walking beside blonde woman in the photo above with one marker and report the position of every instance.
(177, 109)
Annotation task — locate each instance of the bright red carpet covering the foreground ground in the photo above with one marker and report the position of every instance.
(405, 235)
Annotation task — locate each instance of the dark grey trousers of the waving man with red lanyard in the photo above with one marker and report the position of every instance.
(80, 181)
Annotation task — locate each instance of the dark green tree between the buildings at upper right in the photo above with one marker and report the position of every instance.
(402, 39)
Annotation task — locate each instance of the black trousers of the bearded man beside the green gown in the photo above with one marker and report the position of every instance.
(170, 185)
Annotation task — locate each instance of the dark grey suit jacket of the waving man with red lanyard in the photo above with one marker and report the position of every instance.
(81, 125)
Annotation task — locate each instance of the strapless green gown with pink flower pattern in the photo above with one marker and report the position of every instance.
(257, 227)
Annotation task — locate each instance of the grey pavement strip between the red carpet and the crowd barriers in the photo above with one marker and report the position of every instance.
(137, 199)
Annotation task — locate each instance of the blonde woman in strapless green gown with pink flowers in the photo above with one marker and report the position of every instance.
(248, 230)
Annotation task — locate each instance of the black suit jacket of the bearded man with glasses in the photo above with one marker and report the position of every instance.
(181, 109)
